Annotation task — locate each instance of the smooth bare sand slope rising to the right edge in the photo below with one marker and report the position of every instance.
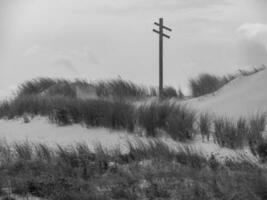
(243, 96)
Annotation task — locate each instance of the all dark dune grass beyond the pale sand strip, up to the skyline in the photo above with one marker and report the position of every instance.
(58, 100)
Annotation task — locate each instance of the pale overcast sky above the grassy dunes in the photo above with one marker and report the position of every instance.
(103, 39)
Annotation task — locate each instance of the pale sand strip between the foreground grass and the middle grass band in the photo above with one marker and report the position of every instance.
(39, 130)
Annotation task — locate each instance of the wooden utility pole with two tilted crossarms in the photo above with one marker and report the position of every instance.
(161, 35)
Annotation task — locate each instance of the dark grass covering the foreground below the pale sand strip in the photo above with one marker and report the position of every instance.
(150, 171)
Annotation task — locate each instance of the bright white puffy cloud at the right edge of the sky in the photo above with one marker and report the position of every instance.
(253, 30)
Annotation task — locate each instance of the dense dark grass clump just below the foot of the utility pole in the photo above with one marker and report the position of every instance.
(176, 120)
